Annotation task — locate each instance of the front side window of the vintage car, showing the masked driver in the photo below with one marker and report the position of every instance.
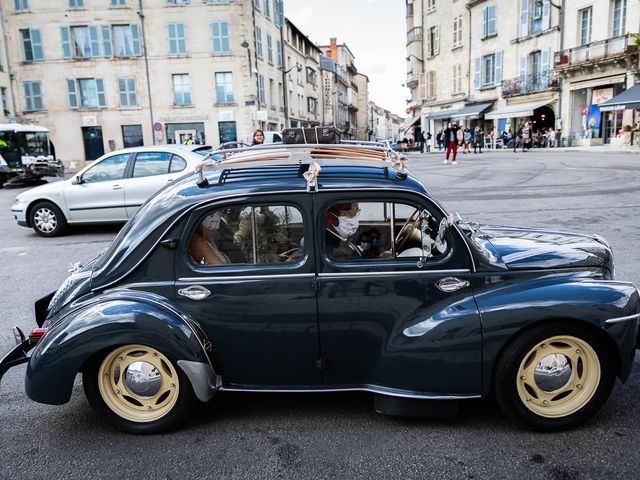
(382, 231)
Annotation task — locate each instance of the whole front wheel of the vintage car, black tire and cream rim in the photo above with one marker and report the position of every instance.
(571, 395)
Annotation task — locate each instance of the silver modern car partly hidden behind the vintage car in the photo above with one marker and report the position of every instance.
(109, 190)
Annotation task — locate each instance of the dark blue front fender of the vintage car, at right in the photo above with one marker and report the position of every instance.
(511, 306)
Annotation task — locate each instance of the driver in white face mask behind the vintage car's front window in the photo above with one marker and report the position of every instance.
(341, 223)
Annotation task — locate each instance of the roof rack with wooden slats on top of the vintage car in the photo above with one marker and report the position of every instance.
(346, 153)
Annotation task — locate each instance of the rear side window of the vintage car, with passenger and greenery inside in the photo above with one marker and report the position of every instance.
(248, 235)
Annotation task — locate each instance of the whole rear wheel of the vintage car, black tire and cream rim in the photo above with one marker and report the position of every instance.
(139, 389)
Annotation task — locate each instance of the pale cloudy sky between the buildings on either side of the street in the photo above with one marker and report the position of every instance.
(374, 31)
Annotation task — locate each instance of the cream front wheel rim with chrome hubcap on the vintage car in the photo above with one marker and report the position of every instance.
(558, 376)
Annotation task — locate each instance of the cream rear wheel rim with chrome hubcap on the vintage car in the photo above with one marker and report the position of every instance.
(138, 383)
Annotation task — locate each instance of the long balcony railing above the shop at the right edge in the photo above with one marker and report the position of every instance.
(594, 52)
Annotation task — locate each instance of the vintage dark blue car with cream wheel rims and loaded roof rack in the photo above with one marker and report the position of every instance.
(323, 268)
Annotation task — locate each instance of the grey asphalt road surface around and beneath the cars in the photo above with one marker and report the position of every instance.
(250, 436)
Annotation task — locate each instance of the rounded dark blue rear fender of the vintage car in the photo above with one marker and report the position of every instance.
(105, 321)
